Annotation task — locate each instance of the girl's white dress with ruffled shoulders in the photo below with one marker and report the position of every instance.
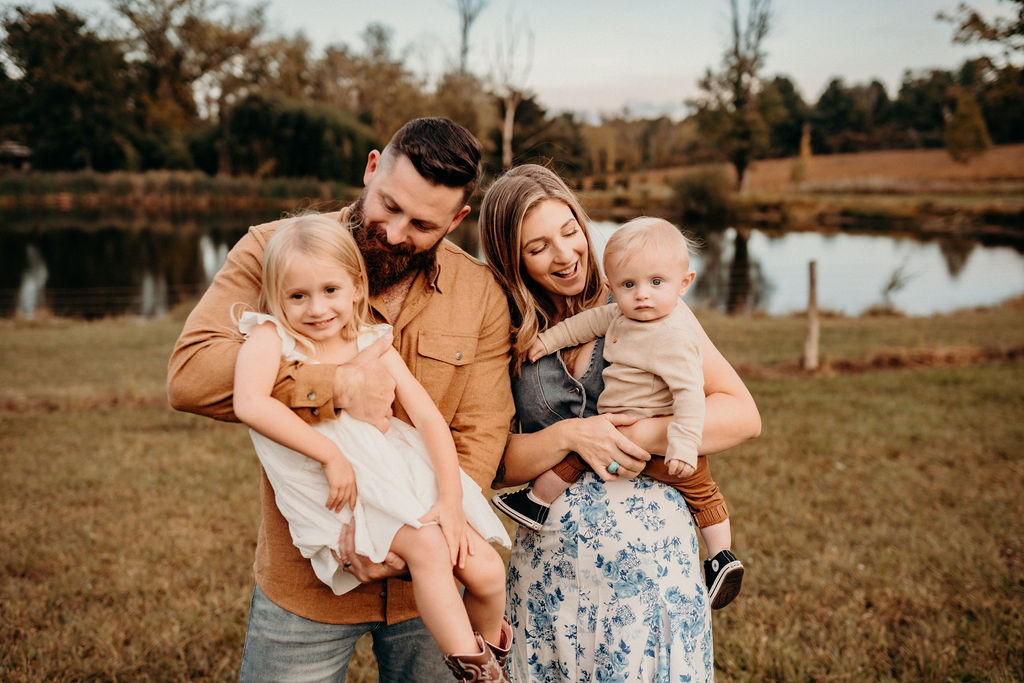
(396, 482)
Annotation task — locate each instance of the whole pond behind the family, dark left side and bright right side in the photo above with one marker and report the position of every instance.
(94, 271)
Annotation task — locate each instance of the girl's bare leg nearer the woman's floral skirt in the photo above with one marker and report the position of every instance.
(484, 578)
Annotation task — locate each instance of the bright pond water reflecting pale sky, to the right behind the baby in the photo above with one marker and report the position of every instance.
(752, 270)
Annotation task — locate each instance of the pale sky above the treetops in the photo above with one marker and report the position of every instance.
(602, 57)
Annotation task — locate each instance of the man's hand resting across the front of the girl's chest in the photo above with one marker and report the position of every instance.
(365, 389)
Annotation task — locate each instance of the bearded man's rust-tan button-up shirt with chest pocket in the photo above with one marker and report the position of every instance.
(453, 332)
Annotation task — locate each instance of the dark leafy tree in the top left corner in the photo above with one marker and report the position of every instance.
(72, 98)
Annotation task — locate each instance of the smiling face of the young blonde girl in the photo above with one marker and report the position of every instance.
(319, 296)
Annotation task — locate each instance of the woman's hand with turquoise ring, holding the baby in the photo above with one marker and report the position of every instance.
(599, 442)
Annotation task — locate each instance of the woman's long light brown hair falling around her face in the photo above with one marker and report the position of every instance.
(506, 204)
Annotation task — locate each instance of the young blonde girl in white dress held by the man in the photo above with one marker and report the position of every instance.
(403, 490)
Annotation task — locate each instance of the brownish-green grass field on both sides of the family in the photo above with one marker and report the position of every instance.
(880, 516)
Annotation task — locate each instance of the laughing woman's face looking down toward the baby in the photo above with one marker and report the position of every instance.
(553, 249)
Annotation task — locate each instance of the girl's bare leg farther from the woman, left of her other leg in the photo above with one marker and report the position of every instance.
(426, 553)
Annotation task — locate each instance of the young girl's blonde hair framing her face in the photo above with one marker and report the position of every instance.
(320, 237)
